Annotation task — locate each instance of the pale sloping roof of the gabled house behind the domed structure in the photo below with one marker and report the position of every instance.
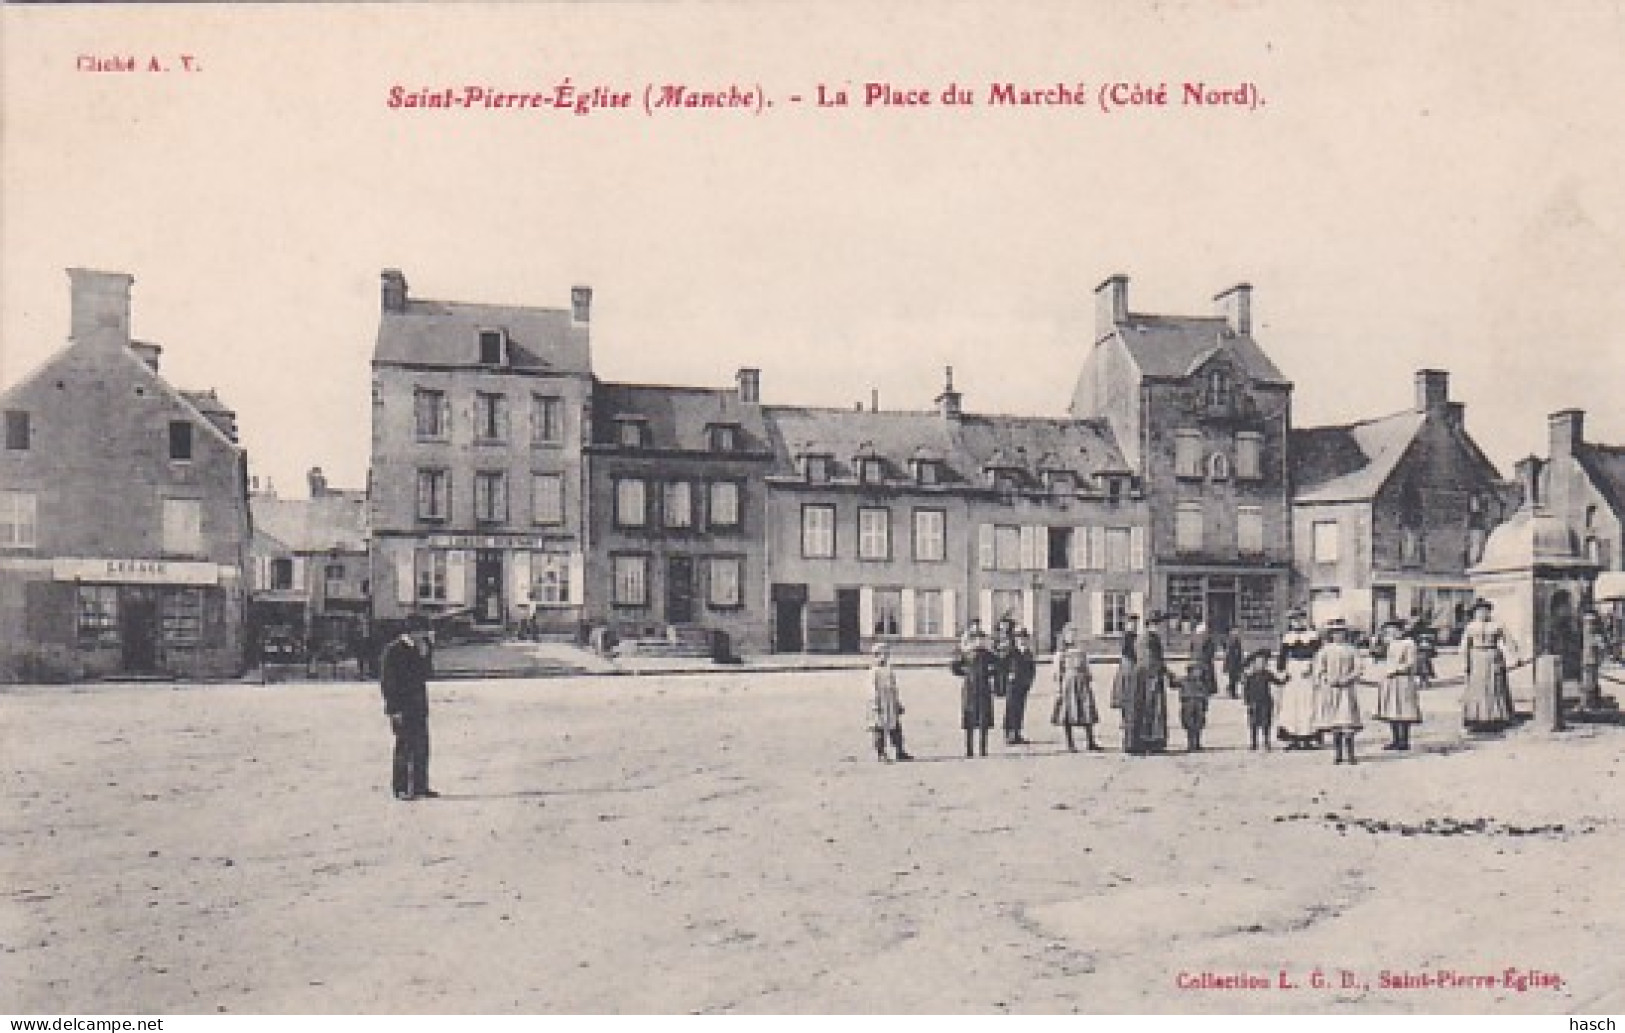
(1350, 464)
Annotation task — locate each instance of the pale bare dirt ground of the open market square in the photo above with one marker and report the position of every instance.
(730, 844)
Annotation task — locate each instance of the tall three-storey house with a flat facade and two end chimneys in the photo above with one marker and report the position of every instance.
(480, 415)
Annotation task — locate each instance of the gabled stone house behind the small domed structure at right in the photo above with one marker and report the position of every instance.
(1392, 512)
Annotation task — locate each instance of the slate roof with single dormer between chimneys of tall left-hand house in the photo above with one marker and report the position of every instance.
(448, 334)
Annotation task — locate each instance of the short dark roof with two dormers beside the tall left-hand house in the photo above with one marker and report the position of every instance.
(677, 418)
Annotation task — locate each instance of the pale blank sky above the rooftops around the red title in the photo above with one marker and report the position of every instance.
(1423, 186)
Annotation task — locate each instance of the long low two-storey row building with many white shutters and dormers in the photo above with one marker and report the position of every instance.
(904, 525)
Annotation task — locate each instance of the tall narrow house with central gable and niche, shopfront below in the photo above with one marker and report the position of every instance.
(1202, 417)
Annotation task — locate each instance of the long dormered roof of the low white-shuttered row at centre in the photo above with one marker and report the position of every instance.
(966, 446)
